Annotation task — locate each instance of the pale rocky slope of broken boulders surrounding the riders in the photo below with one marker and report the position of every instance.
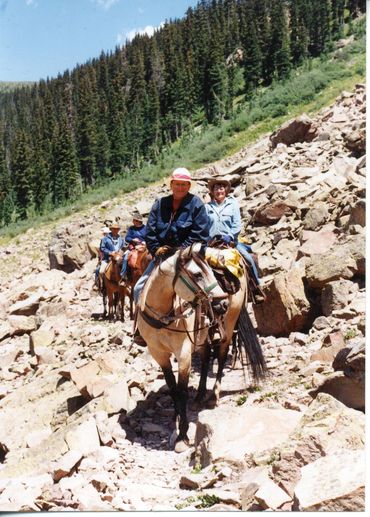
(86, 420)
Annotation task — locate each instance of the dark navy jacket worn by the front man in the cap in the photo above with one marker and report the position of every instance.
(187, 225)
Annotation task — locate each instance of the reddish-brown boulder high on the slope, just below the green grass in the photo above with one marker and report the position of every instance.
(301, 129)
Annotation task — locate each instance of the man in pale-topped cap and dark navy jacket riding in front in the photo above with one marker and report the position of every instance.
(175, 221)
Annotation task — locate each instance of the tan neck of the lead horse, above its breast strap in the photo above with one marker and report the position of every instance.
(160, 292)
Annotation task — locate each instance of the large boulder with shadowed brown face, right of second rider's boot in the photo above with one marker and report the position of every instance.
(286, 308)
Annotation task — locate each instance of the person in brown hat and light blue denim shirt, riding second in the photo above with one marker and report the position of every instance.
(225, 221)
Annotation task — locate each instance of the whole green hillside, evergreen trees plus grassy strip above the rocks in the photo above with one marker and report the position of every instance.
(223, 69)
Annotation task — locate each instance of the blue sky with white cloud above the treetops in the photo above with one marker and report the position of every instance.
(40, 38)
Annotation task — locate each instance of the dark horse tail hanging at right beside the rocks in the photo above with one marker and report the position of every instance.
(248, 339)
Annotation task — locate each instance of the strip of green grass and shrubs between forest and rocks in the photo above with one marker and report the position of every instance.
(314, 85)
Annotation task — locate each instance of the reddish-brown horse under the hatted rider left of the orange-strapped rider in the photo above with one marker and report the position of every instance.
(112, 288)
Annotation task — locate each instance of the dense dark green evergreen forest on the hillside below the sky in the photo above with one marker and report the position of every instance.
(109, 117)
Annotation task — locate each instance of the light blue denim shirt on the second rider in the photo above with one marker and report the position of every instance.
(224, 219)
